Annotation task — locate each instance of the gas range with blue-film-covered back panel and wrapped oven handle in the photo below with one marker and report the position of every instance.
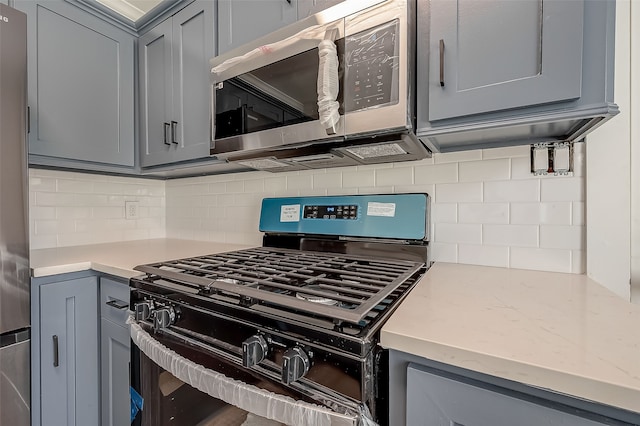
(288, 331)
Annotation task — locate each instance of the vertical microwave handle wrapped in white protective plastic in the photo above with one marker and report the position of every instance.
(328, 86)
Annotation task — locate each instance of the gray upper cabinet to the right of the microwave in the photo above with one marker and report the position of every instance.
(501, 72)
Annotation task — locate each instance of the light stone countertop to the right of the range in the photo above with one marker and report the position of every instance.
(562, 332)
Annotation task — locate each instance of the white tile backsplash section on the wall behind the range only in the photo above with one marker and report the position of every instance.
(487, 207)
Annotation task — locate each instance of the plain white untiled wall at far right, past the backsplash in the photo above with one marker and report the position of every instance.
(611, 151)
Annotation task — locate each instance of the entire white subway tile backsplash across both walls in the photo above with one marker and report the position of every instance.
(487, 208)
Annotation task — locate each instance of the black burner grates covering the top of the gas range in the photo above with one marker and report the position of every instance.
(338, 286)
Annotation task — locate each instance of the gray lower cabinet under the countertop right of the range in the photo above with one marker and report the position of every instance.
(423, 392)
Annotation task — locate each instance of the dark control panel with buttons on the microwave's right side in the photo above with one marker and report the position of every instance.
(371, 59)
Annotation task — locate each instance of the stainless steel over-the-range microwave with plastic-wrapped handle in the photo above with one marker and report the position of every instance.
(336, 88)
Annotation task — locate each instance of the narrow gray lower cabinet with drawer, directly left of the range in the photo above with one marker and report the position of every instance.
(115, 345)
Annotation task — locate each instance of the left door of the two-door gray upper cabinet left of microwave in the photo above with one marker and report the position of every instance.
(155, 68)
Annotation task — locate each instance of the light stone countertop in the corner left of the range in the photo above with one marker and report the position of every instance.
(120, 258)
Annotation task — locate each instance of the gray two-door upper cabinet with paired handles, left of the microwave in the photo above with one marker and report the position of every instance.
(174, 79)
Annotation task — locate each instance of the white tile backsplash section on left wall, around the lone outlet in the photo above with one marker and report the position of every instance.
(67, 209)
